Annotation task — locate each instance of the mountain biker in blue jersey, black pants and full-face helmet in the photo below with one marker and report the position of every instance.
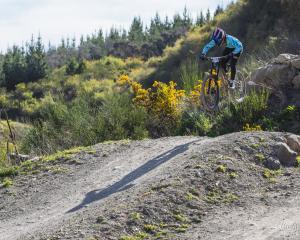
(233, 49)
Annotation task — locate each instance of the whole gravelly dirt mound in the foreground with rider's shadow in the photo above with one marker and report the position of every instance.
(169, 188)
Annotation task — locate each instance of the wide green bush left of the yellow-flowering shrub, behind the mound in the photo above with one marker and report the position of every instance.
(80, 124)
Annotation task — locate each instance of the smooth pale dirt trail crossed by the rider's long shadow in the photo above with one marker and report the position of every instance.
(55, 203)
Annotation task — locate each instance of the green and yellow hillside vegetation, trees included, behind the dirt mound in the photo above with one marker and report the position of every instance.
(83, 101)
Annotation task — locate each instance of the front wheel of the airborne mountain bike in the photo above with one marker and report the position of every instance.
(210, 95)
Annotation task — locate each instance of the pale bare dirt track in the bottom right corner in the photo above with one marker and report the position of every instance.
(257, 223)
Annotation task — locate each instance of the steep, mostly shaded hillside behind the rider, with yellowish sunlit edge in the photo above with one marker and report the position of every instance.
(266, 28)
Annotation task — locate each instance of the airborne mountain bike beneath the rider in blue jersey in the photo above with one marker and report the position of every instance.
(215, 87)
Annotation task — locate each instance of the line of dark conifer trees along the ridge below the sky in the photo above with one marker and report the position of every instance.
(31, 62)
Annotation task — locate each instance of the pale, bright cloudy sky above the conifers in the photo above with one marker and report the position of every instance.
(54, 19)
